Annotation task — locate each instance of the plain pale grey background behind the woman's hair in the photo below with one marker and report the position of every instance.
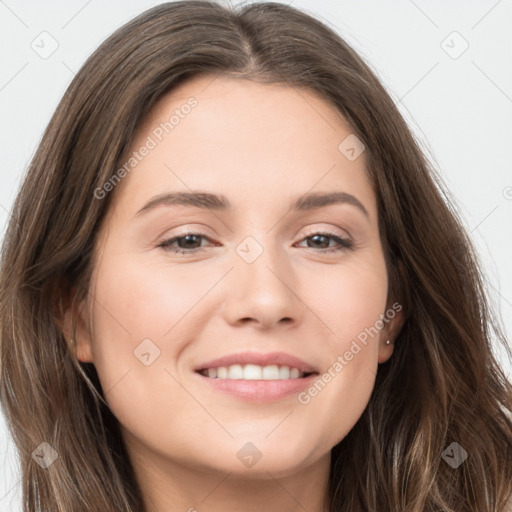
(458, 103)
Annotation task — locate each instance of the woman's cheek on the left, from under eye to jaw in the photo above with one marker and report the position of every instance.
(141, 318)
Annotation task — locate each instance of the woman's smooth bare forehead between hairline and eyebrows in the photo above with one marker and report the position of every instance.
(247, 140)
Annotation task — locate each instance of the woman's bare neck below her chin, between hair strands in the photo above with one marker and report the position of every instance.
(171, 487)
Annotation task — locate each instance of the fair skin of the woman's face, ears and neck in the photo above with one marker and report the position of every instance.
(261, 146)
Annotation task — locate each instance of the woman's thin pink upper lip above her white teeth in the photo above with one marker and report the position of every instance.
(268, 359)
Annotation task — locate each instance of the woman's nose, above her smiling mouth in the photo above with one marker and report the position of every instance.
(263, 293)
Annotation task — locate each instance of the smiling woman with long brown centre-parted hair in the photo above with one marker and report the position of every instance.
(231, 281)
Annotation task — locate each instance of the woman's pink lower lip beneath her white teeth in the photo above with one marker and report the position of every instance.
(260, 390)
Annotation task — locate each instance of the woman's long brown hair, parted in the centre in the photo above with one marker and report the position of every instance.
(443, 383)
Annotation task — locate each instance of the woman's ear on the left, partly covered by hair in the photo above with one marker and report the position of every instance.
(74, 323)
